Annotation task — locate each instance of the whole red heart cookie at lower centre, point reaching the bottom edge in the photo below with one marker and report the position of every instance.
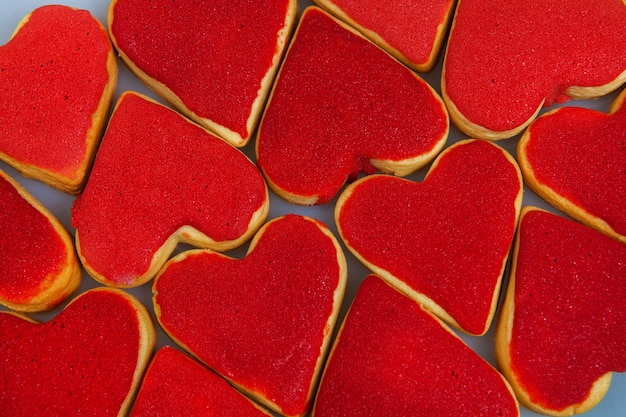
(264, 322)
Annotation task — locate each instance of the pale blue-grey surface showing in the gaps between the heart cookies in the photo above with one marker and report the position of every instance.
(11, 12)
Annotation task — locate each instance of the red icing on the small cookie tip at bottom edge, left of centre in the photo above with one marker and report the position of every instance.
(176, 385)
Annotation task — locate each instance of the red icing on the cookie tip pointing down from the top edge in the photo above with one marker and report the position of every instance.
(408, 26)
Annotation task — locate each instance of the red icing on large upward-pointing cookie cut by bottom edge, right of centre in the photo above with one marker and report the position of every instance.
(393, 359)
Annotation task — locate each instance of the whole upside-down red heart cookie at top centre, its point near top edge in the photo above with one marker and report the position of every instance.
(342, 106)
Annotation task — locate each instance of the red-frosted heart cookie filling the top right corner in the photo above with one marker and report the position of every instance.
(506, 59)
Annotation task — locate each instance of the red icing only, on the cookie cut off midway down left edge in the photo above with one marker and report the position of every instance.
(30, 246)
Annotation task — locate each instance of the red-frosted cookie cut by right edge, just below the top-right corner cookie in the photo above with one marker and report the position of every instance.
(575, 158)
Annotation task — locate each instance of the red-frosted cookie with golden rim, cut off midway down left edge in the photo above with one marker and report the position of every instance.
(38, 265)
